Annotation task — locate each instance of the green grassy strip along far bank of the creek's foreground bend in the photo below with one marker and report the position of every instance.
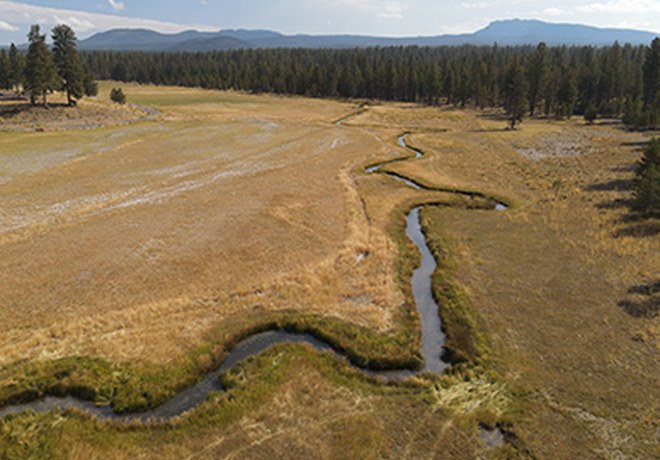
(135, 388)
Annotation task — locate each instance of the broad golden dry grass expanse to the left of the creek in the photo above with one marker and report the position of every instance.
(133, 242)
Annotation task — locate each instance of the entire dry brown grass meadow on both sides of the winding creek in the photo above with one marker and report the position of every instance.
(142, 240)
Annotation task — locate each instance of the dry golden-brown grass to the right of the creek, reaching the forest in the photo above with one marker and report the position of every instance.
(549, 279)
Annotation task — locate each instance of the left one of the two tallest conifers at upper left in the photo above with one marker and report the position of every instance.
(40, 71)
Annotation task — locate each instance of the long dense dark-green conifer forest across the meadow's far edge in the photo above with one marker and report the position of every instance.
(554, 81)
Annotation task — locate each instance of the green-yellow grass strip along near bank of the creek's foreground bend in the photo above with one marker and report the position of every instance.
(250, 384)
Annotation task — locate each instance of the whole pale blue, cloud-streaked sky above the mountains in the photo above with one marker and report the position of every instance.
(374, 17)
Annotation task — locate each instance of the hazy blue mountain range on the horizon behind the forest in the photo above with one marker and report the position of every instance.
(509, 32)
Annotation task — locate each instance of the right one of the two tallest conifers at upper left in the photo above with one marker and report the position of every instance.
(68, 63)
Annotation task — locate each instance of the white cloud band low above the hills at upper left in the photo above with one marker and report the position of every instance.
(25, 15)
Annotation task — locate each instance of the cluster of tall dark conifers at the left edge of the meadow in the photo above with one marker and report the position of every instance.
(41, 70)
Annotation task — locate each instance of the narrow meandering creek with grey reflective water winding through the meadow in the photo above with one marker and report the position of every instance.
(433, 337)
